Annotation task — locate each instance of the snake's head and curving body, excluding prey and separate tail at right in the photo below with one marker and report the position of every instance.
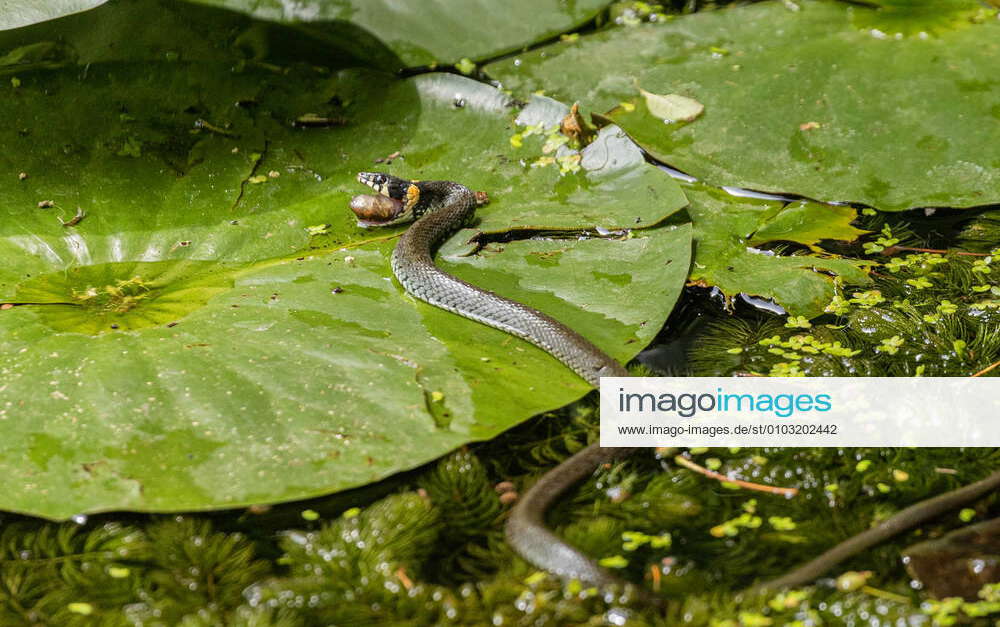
(440, 208)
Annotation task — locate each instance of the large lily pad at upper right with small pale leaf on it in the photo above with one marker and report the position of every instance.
(818, 102)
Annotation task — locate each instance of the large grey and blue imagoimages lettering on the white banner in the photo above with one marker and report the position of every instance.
(690, 404)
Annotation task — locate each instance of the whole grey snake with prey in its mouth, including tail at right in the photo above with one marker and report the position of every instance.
(440, 208)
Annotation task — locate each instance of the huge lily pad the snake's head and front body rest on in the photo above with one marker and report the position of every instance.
(189, 344)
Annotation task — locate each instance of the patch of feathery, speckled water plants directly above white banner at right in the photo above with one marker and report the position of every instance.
(928, 314)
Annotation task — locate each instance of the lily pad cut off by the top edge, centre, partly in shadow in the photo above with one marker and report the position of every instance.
(432, 31)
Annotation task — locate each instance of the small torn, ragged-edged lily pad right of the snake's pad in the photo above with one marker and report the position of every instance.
(728, 231)
